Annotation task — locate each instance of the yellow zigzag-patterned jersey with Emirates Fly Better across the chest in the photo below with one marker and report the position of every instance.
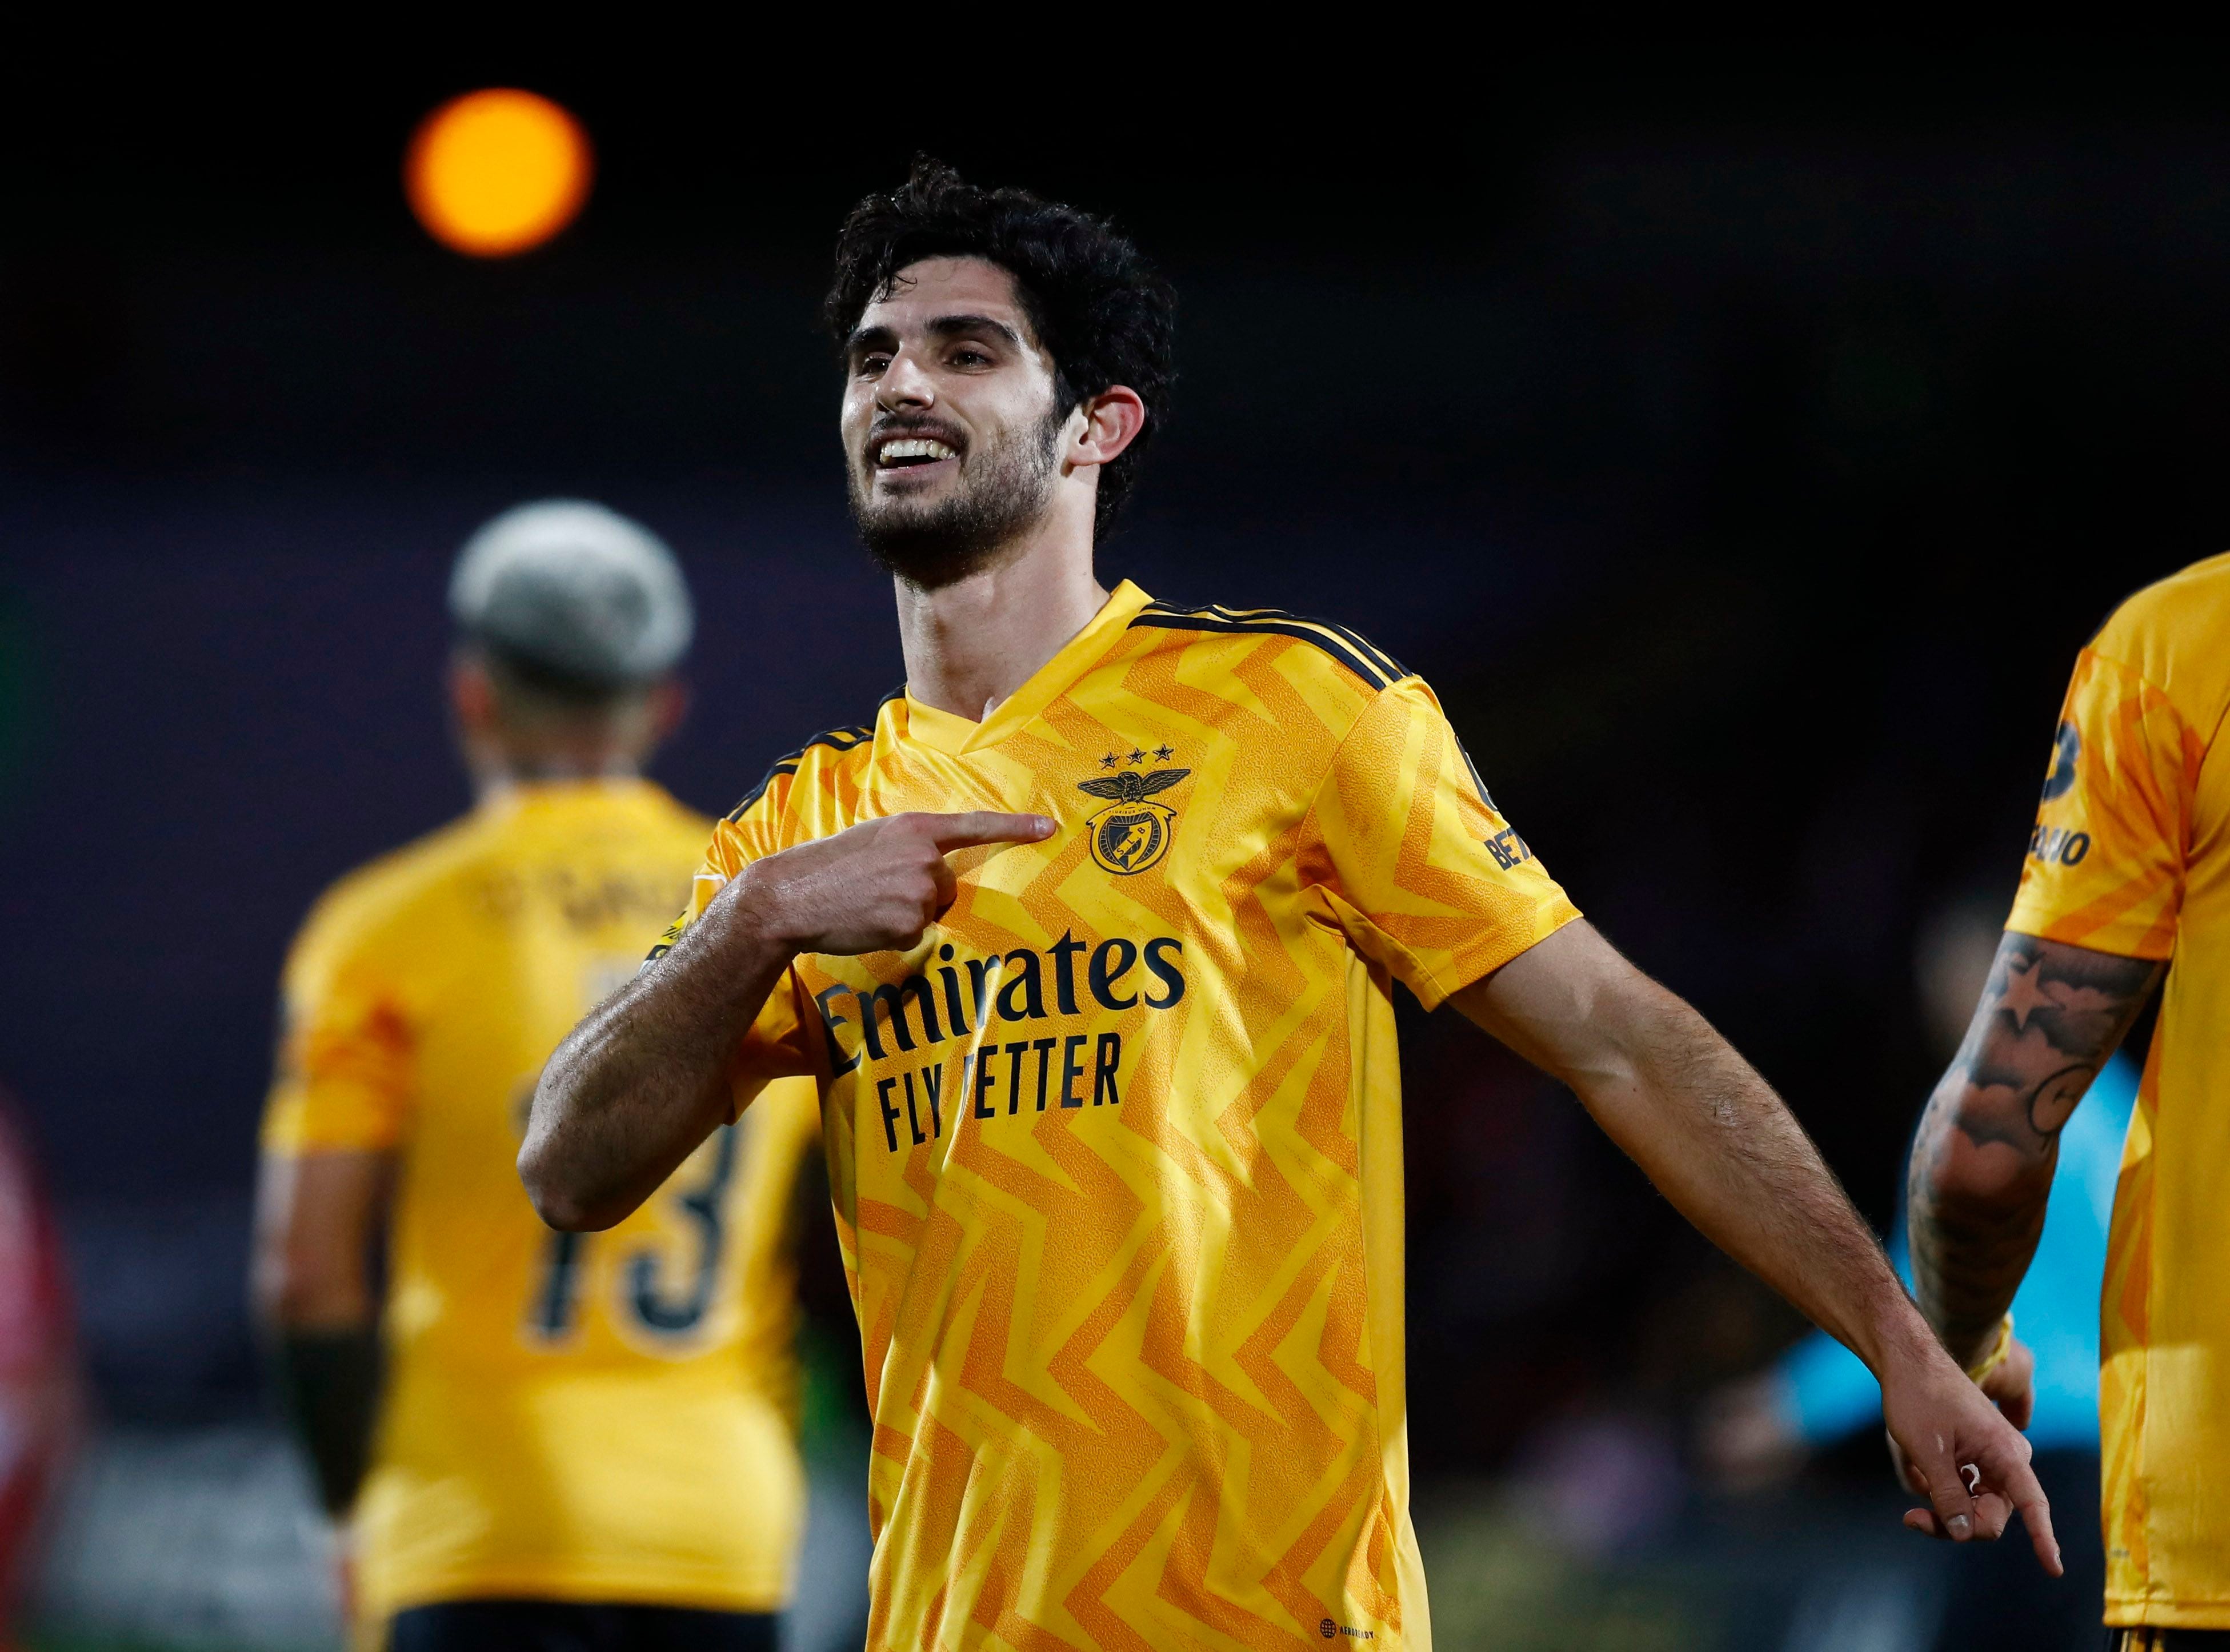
(1116, 1151)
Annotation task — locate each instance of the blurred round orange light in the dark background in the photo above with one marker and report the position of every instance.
(498, 173)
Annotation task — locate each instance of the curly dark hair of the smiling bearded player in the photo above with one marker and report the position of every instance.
(1094, 302)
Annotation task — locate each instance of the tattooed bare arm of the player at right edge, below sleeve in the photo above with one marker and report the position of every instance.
(1990, 1140)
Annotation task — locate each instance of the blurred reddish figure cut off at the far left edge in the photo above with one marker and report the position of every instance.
(39, 1388)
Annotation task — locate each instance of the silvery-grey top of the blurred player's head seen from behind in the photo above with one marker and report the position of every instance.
(576, 592)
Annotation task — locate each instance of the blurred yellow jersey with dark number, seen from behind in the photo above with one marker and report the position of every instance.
(565, 1417)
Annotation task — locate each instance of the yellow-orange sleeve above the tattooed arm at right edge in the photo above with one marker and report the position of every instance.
(2113, 830)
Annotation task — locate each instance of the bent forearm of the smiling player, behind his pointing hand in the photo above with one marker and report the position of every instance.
(643, 1080)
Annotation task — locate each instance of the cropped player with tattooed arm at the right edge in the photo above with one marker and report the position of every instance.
(2126, 880)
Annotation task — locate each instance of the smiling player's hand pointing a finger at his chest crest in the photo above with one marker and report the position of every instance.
(871, 888)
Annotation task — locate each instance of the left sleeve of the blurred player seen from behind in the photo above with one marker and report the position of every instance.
(347, 1062)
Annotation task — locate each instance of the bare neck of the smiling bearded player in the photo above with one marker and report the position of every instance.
(973, 643)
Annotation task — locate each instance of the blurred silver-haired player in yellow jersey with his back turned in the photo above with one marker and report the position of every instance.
(574, 1444)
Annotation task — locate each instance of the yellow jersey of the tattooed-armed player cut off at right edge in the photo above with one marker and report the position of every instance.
(2133, 857)
